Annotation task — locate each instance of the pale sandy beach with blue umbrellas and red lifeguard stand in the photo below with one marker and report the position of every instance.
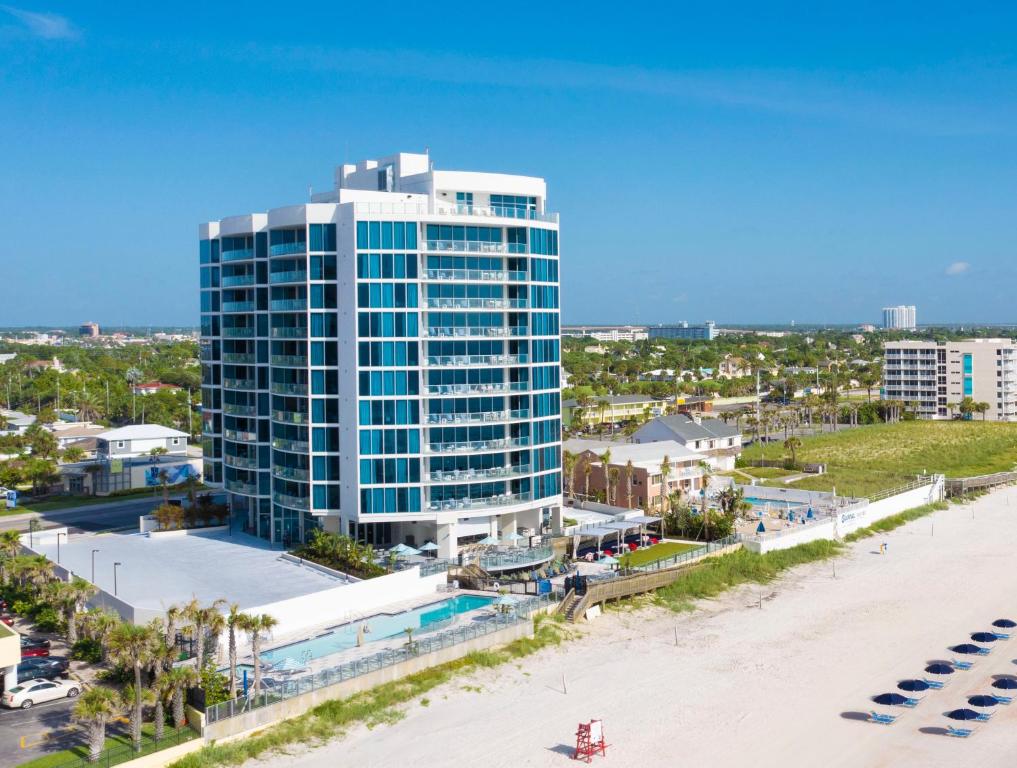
(782, 685)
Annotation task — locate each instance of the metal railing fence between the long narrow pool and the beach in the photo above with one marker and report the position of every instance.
(289, 689)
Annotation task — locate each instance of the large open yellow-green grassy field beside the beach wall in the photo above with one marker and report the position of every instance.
(866, 460)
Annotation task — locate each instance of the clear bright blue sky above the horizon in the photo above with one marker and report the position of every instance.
(739, 165)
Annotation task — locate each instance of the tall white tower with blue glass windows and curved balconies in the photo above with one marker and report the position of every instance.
(384, 362)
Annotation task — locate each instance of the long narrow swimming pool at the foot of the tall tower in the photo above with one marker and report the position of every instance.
(380, 627)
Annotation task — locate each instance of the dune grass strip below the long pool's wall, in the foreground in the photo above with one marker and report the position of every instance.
(379, 705)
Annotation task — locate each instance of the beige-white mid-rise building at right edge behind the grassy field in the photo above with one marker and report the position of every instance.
(937, 377)
